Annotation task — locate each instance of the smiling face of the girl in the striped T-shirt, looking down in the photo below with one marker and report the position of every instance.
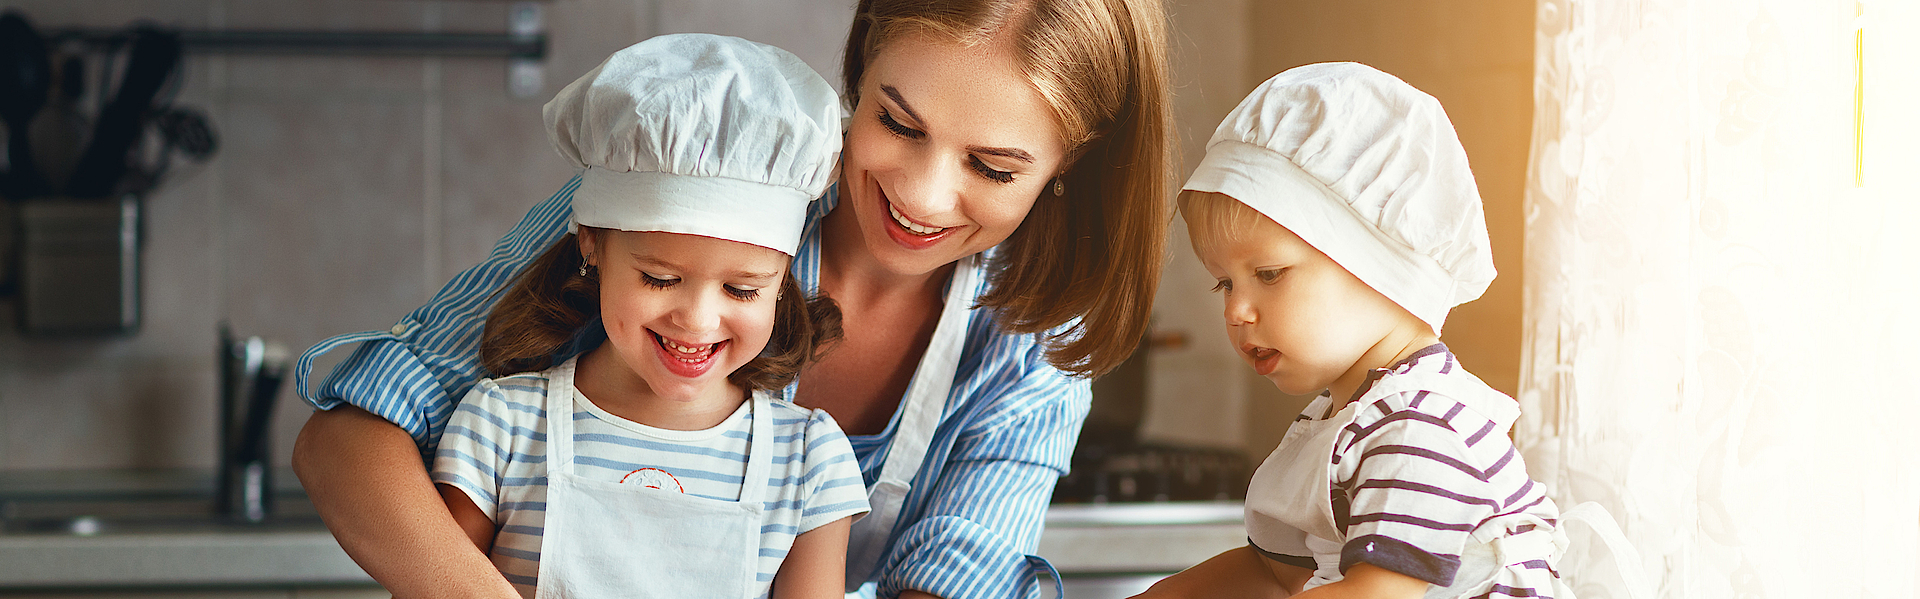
(684, 312)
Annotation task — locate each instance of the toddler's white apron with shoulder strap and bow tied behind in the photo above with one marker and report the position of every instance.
(1289, 506)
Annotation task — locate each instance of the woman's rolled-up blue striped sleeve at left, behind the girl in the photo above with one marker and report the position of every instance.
(416, 371)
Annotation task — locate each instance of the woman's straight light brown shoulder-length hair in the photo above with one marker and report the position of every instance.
(1097, 251)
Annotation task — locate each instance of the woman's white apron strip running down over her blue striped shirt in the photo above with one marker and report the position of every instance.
(921, 416)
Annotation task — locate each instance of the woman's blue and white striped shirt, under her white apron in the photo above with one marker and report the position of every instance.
(972, 521)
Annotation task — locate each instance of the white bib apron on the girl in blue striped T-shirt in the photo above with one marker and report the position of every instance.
(625, 540)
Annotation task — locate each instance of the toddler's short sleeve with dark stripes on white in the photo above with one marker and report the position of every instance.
(1418, 487)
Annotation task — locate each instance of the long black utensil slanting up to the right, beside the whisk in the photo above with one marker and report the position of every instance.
(151, 62)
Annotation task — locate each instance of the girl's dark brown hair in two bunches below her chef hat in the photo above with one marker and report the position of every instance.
(550, 304)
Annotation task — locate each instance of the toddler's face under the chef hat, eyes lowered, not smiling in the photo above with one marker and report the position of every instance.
(1293, 314)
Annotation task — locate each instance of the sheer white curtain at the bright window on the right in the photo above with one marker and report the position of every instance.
(1723, 289)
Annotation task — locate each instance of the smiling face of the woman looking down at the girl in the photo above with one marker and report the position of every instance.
(946, 153)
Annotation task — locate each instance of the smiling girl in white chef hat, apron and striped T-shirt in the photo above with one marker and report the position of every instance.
(658, 466)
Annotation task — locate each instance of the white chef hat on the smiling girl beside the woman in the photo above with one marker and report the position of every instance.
(702, 135)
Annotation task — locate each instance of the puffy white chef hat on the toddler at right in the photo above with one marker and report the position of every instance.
(1366, 170)
